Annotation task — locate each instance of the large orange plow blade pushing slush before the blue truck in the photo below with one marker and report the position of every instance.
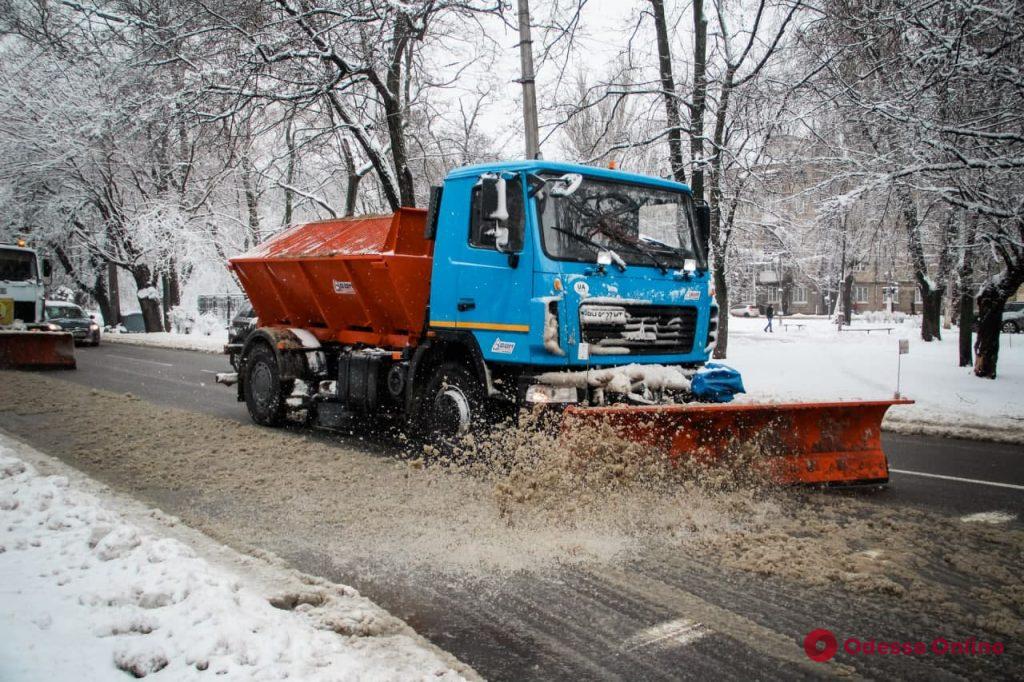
(799, 443)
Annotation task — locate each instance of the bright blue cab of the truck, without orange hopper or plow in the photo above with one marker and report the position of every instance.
(554, 267)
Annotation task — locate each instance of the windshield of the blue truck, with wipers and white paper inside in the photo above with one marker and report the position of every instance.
(645, 226)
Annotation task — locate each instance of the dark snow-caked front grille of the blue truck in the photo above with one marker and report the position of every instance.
(638, 329)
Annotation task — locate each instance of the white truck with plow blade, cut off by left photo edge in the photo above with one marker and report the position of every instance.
(27, 340)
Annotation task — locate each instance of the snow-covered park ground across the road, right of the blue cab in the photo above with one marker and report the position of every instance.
(818, 363)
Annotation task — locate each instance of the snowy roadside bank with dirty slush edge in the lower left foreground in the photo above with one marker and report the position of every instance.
(93, 588)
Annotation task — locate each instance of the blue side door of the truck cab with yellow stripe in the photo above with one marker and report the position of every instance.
(494, 288)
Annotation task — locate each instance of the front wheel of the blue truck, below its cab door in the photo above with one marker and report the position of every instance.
(452, 404)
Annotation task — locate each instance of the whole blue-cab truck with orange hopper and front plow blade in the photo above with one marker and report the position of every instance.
(524, 283)
